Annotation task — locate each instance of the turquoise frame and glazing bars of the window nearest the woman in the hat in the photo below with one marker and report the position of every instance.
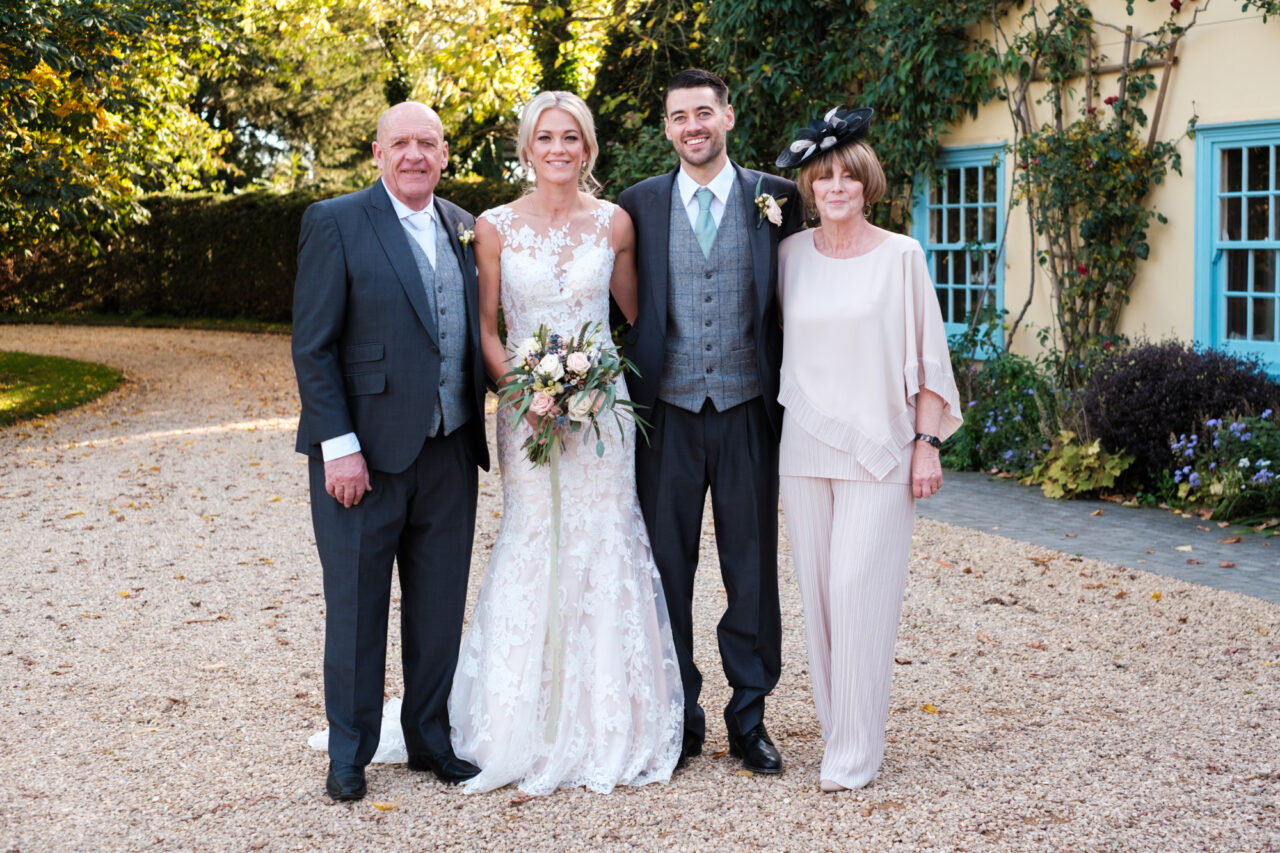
(934, 220)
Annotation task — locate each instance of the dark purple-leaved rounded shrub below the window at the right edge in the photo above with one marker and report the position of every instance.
(1139, 398)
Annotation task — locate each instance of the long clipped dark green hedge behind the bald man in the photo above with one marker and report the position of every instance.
(198, 257)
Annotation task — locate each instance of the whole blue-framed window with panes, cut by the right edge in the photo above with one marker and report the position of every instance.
(1238, 239)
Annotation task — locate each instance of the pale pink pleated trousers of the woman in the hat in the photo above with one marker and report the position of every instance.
(851, 542)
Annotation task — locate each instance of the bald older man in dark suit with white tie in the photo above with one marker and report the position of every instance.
(387, 353)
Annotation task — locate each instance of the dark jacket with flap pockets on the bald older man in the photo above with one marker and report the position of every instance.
(365, 345)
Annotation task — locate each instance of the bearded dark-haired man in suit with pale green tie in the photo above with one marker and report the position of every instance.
(708, 346)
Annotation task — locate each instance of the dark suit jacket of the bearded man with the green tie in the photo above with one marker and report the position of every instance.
(650, 207)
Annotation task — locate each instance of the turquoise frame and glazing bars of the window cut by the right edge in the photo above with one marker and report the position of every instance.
(1215, 297)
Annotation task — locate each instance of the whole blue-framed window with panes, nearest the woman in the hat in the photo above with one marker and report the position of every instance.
(959, 220)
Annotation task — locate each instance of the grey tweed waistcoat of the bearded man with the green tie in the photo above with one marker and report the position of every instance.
(711, 309)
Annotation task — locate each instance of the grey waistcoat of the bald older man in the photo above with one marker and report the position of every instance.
(447, 303)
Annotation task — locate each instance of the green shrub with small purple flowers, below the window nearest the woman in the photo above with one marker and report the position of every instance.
(1008, 417)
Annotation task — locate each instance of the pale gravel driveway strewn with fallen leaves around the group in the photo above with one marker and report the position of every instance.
(161, 647)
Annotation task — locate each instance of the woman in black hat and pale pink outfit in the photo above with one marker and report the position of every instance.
(870, 395)
